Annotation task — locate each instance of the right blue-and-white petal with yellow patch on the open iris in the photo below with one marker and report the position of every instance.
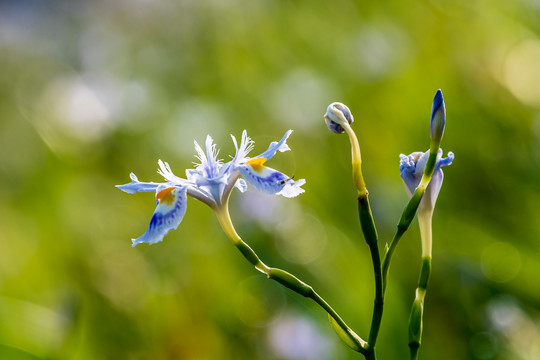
(269, 180)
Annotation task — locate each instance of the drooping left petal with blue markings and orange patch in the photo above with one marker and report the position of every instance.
(170, 210)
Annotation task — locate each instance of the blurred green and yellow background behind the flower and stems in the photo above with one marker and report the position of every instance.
(92, 90)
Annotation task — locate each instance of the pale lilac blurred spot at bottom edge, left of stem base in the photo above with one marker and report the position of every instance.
(295, 337)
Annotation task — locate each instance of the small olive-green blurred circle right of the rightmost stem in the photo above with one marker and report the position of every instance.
(501, 262)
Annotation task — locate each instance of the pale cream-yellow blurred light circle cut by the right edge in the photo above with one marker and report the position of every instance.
(522, 73)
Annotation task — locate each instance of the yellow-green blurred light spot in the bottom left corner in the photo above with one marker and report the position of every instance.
(31, 327)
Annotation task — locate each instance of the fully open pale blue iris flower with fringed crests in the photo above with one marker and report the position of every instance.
(211, 182)
